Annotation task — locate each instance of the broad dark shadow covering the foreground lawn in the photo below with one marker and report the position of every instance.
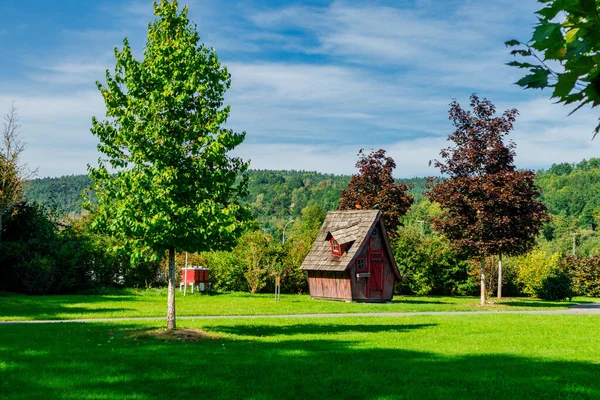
(103, 361)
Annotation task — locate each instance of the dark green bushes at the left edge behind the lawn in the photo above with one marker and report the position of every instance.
(39, 255)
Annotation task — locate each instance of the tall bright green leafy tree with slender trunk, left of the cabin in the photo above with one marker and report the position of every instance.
(166, 181)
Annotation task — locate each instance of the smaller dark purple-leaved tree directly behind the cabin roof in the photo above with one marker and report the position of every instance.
(374, 188)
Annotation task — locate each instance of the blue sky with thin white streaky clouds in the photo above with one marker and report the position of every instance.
(312, 81)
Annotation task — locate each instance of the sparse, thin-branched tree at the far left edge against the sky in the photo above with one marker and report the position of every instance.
(12, 172)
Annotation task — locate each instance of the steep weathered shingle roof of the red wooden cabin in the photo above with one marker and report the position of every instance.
(354, 227)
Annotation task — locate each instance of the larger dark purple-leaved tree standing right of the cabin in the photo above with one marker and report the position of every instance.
(489, 207)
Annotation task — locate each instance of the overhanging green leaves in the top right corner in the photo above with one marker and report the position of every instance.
(566, 35)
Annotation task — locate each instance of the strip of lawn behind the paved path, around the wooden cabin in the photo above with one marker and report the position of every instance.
(152, 303)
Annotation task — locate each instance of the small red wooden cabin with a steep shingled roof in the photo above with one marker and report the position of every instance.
(351, 259)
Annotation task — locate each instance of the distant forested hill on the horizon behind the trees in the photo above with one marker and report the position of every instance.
(570, 190)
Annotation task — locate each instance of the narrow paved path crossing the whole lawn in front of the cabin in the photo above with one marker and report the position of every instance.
(580, 309)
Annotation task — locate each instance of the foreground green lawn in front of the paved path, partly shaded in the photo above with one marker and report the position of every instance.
(418, 357)
